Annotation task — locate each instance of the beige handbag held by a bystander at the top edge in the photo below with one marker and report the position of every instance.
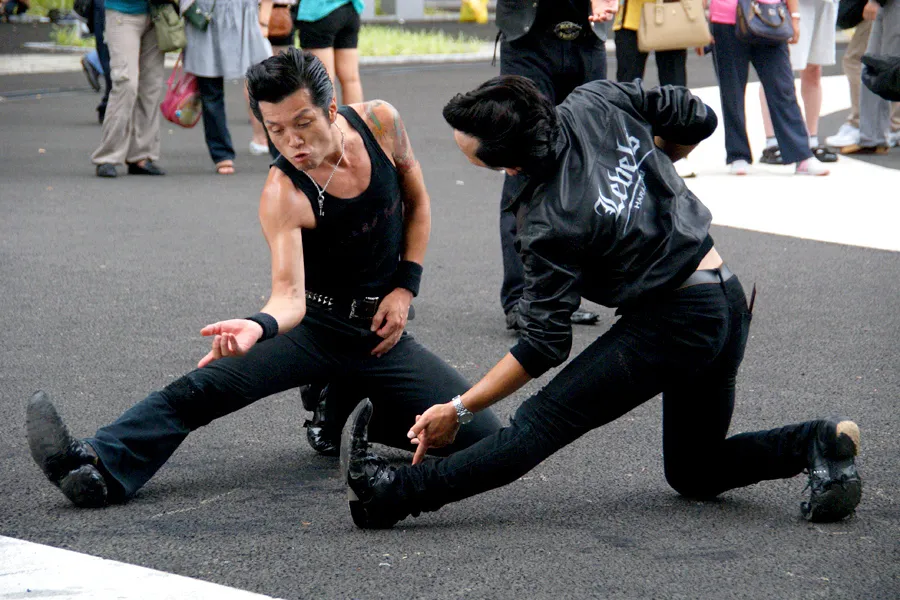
(673, 26)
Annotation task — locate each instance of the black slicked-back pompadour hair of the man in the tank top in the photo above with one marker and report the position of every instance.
(279, 76)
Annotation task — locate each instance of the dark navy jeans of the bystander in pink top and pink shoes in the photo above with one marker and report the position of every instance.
(773, 66)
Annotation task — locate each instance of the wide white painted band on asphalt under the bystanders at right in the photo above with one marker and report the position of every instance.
(858, 204)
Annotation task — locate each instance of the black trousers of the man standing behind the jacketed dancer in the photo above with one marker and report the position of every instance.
(557, 67)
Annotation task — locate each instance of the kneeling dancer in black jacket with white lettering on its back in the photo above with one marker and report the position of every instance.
(602, 214)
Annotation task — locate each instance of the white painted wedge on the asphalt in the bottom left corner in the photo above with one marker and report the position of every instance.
(38, 572)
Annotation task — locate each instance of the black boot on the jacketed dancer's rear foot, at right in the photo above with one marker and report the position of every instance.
(834, 484)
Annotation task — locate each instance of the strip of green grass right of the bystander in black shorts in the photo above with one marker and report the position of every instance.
(377, 40)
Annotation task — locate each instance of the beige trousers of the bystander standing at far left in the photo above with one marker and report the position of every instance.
(131, 126)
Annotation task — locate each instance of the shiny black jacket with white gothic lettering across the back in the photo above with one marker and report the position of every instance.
(614, 223)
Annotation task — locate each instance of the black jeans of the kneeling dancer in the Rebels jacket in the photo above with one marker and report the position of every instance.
(687, 345)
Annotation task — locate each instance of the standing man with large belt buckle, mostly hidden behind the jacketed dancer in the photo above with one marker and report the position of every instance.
(555, 44)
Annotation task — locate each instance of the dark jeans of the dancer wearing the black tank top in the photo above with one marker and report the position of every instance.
(401, 384)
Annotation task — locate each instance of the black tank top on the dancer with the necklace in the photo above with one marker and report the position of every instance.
(355, 247)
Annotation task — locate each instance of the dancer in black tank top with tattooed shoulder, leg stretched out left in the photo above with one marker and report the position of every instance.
(347, 219)
